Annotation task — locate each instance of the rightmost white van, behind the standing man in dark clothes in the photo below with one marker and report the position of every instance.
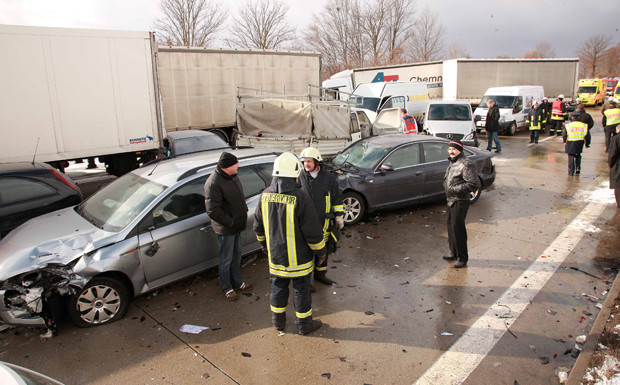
(513, 102)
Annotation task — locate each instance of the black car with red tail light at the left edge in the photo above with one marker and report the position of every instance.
(28, 190)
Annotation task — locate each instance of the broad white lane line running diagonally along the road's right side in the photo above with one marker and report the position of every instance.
(456, 364)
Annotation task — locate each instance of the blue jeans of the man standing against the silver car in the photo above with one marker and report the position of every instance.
(229, 261)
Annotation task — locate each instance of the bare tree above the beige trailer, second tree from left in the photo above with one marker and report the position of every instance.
(261, 24)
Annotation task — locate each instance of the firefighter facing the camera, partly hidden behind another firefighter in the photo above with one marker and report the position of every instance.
(327, 198)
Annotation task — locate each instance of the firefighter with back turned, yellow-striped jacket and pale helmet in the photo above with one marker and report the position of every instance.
(288, 228)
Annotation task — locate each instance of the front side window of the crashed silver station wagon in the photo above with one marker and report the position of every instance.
(185, 202)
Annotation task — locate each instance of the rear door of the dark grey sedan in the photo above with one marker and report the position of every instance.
(435, 158)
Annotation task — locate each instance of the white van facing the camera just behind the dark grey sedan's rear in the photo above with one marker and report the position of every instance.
(451, 120)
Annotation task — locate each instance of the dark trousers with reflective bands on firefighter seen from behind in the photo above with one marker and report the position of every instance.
(302, 297)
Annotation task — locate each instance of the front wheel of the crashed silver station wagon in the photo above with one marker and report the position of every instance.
(102, 300)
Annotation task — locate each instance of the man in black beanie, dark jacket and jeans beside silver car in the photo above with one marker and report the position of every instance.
(225, 204)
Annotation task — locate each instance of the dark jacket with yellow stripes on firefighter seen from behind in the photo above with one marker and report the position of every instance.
(287, 224)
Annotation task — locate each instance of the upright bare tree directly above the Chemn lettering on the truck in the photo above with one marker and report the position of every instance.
(427, 37)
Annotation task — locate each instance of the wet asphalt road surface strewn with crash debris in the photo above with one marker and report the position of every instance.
(543, 252)
